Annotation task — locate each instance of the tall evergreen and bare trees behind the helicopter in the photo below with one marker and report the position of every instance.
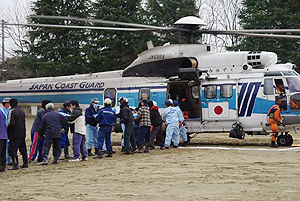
(62, 51)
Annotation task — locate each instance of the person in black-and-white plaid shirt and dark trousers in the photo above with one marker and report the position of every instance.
(145, 124)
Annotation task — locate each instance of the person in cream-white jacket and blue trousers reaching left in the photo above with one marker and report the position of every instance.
(78, 130)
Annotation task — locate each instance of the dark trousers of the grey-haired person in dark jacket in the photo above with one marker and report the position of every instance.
(48, 141)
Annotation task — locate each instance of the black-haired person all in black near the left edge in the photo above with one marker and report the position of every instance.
(16, 135)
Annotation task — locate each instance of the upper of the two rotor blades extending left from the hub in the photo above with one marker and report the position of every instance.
(103, 22)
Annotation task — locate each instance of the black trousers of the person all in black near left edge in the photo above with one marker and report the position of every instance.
(14, 146)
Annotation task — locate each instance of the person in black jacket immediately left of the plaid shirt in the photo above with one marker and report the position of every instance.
(126, 117)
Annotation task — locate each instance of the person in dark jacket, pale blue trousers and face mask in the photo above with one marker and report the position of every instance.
(91, 126)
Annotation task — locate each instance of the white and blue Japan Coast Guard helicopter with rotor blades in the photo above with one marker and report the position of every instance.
(217, 92)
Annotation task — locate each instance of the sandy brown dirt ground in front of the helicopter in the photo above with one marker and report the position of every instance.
(212, 167)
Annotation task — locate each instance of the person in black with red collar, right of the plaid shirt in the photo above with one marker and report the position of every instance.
(156, 122)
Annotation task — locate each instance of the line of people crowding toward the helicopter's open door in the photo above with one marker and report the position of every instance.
(141, 126)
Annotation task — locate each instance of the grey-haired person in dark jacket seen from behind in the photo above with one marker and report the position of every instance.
(51, 128)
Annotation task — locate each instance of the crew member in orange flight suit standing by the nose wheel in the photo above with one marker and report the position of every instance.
(275, 119)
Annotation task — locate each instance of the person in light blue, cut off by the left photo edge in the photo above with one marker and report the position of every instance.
(3, 132)
